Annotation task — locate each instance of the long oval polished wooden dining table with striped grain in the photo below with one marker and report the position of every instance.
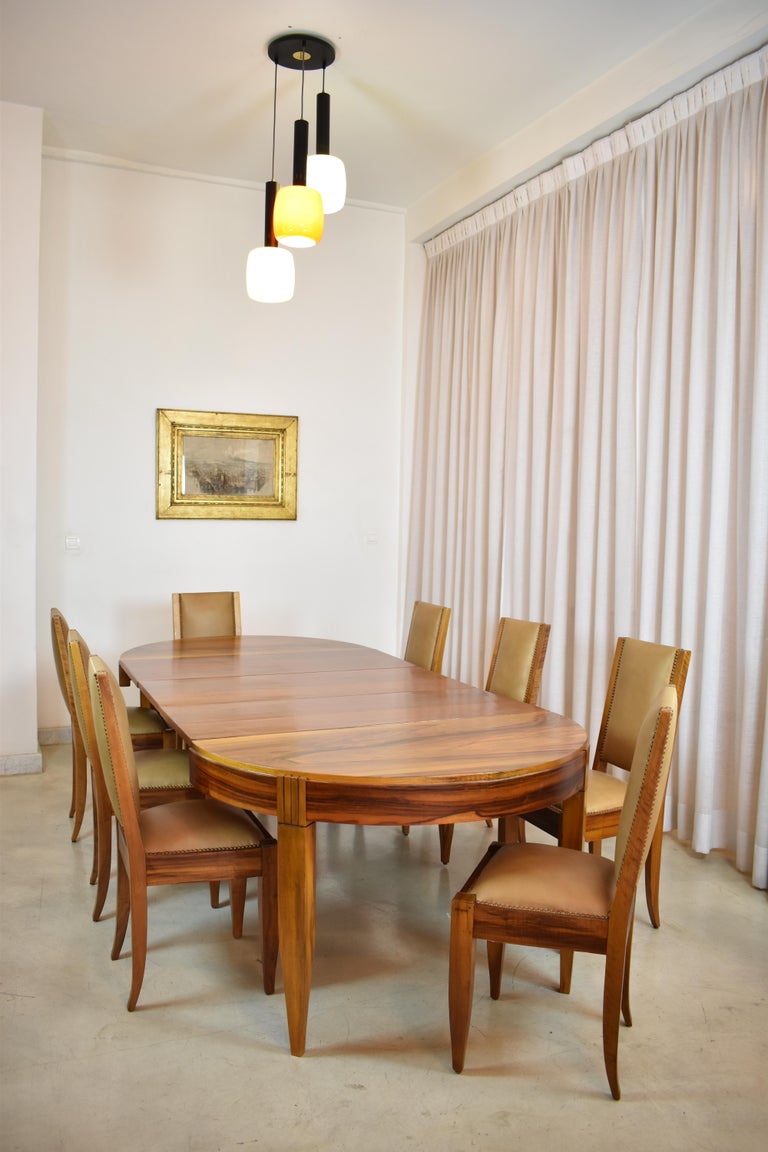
(317, 730)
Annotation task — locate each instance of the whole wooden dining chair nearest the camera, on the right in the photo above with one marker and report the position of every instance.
(548, 897)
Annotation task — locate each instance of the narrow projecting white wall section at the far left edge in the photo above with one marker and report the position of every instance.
(21, 135)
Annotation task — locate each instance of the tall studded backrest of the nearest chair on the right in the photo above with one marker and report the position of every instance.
(647, 789)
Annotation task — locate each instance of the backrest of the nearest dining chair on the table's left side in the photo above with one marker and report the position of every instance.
(116, 749)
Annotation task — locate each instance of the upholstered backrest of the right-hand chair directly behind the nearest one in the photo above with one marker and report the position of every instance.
(641, 670)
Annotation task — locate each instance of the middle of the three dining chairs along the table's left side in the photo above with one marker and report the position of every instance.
(163, 775)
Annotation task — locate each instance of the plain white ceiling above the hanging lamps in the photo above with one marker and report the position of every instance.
(421, 89)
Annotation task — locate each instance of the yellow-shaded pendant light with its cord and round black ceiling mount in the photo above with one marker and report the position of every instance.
(299, 216)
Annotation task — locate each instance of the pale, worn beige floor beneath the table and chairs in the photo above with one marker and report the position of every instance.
(204, 1066)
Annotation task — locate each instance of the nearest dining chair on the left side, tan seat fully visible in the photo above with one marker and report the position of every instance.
(185, 843)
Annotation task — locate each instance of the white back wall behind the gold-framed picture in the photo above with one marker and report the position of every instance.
(143, 306)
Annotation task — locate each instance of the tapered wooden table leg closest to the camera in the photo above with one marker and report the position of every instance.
(296, 853)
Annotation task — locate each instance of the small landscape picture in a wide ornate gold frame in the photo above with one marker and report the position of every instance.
(226, 466)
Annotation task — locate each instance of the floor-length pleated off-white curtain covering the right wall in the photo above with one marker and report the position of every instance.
(591, 443)
